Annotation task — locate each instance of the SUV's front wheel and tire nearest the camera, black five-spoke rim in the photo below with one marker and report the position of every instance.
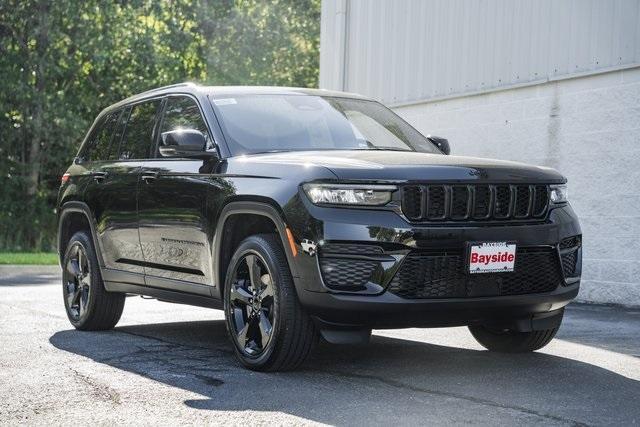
(292, 334)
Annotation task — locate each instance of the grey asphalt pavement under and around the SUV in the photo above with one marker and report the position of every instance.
(167, 364)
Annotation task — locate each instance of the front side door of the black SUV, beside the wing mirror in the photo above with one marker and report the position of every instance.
(172, 208)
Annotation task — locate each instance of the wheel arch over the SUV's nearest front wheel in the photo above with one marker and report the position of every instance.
(234, 211)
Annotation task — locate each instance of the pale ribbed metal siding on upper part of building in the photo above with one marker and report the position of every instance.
(404, 51)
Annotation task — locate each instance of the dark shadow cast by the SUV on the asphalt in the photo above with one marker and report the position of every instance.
(389, 378)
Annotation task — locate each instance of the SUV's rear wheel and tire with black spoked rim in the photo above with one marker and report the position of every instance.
(88, 305)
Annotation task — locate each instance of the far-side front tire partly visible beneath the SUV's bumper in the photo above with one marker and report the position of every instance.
(512, 341)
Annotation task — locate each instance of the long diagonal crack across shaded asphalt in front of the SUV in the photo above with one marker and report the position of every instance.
(480, 401)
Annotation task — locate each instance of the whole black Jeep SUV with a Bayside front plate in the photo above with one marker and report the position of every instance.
(306, 213)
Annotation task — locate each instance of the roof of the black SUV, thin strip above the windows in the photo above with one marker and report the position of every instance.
(226, 91)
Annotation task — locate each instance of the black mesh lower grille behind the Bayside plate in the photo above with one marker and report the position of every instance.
(443, 275)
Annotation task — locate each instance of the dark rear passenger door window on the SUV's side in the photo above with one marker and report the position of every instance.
(138, 134)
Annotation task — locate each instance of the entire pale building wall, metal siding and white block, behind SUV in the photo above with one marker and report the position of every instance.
(548, 82)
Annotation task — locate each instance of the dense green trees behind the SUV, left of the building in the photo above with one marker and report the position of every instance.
(63, 61)
